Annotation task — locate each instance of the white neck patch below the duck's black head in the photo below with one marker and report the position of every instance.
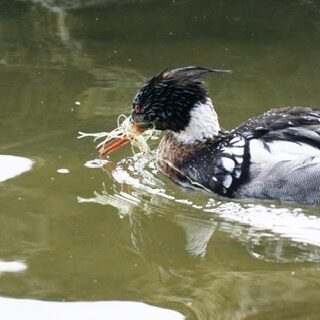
(203, 124)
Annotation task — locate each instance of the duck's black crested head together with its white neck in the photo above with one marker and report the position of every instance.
(174, 100)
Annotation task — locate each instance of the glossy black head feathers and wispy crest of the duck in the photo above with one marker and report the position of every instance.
(167, 99)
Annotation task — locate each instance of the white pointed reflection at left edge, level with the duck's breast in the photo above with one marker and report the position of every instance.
(12, 166)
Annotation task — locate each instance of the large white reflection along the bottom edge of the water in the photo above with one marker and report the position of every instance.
(38, 310)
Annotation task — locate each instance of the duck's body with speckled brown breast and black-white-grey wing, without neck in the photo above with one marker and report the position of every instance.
(273, 156)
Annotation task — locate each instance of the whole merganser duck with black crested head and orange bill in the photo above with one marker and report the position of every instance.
(275, 155)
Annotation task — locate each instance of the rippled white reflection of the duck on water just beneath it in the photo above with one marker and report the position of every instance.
(269, 231)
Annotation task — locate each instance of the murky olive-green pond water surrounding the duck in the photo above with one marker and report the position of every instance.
(78, 229)
